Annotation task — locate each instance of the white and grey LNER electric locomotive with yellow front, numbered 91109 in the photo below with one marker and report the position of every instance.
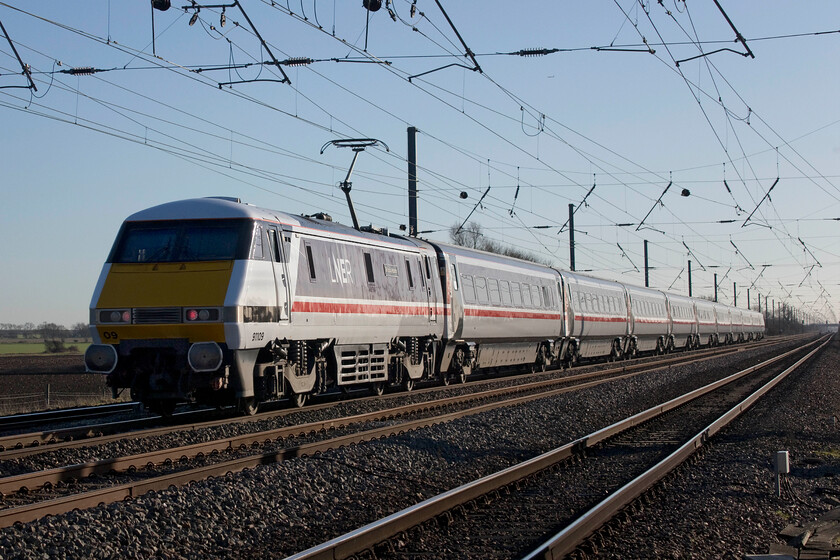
(219, 302)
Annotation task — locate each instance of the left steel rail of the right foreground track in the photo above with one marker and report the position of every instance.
(374, 533)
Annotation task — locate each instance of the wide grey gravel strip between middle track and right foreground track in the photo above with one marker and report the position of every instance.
(280, 509)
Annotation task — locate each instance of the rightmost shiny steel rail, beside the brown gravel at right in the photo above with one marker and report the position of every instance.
(574, 534)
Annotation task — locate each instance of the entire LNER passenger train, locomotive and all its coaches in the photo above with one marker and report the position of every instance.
(218, 302)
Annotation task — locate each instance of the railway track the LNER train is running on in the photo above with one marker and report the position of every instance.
(24, 444)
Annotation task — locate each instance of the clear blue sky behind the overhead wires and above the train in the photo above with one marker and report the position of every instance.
(85, 151)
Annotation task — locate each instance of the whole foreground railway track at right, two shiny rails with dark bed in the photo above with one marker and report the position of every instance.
(547, 506)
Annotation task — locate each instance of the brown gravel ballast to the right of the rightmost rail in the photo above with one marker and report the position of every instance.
(724, 505)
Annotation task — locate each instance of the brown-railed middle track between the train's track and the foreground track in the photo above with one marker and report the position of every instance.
(29, 496)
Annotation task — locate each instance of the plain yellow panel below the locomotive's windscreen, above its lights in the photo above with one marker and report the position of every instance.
(166, 285)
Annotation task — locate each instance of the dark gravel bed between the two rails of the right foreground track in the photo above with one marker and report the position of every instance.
(516, 522)
